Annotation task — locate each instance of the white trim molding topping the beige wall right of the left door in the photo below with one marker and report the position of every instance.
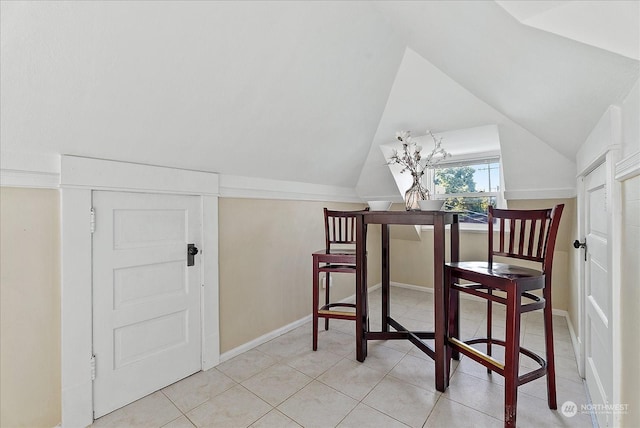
(235, 186)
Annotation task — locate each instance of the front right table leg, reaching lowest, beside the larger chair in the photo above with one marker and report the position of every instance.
(438, 302)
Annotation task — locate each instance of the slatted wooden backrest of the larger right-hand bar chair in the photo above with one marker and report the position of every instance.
(531, 233)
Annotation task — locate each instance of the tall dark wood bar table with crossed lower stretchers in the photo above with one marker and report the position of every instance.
(438, 219)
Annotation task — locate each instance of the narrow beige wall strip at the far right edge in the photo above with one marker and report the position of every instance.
(630, 290)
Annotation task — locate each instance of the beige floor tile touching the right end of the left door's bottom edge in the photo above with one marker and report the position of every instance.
(198, 388)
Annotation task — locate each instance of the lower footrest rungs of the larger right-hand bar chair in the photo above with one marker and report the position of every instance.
(491, 363)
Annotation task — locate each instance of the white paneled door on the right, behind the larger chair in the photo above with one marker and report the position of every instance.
(598, 328)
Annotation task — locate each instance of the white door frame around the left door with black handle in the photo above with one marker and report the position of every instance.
(79, 177)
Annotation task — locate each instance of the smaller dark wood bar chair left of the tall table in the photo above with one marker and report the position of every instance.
(338, 256)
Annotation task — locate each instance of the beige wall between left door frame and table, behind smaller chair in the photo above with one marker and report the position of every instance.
(265, 265)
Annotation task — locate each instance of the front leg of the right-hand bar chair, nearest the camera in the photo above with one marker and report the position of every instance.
(512, 356)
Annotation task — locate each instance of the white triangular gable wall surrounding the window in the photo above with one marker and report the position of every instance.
(423, 94)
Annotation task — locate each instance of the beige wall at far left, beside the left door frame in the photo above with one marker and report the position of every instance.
(29, 308)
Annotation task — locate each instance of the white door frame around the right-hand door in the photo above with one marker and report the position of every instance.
(603, 149)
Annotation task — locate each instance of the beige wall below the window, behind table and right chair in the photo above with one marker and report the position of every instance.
(408, 257)
